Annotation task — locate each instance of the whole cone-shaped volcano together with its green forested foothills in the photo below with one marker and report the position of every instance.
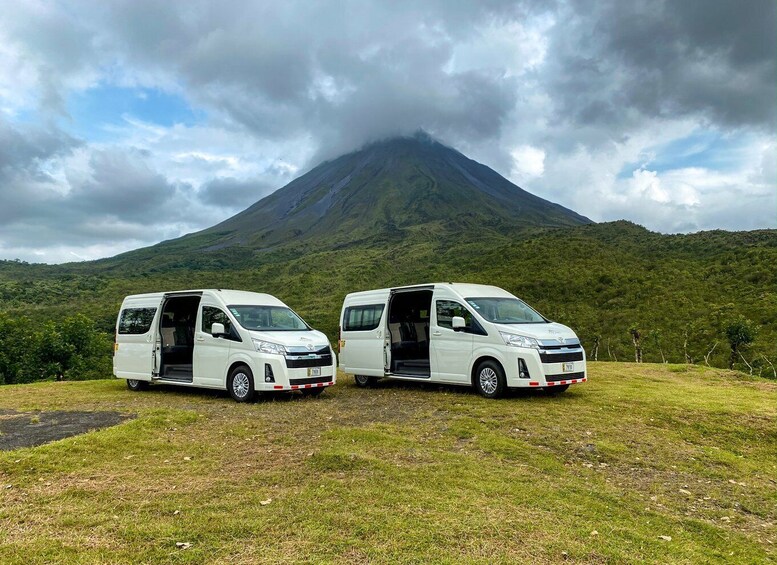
(411, 210)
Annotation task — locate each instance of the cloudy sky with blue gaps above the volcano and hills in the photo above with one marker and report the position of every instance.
(124, 123)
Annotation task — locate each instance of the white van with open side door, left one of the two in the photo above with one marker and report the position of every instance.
(244, 342)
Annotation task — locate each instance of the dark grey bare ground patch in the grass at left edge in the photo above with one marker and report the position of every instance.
(28, 429)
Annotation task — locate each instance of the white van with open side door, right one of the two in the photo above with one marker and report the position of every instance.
(466, 334)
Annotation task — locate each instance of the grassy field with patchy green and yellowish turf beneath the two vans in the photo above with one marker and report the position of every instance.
(655, 463)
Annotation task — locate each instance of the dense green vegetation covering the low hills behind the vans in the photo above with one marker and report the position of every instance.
(684, 296)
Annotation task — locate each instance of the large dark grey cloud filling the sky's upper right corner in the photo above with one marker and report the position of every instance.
(616, 63)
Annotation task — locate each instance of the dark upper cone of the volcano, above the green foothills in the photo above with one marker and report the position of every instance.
(387, 187)
